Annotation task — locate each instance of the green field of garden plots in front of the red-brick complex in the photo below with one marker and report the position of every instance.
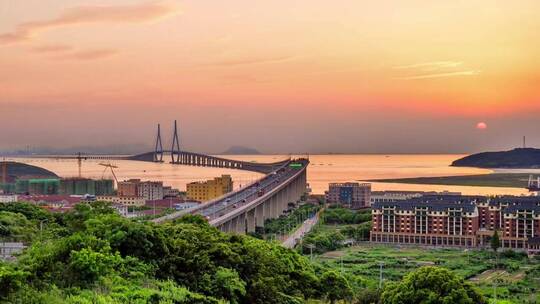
(517, 280)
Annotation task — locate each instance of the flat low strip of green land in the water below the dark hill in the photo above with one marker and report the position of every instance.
(514, 180)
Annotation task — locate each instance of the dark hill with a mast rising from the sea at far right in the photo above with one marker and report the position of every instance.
(520, 158)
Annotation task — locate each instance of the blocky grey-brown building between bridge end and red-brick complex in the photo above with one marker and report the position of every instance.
(352, 195)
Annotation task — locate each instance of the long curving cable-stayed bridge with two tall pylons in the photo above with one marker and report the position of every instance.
(242, 210)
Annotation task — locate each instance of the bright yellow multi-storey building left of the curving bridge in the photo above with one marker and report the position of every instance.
(208, 190)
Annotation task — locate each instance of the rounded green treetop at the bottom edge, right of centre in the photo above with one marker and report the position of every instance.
(431, 285)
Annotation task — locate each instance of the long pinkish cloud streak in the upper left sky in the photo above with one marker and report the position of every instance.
(91, 15)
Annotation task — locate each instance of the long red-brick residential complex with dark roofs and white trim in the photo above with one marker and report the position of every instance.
(464, 221)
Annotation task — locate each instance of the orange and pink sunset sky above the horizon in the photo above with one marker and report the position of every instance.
(279, 76)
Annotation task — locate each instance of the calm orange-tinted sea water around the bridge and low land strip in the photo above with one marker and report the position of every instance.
(323, 169)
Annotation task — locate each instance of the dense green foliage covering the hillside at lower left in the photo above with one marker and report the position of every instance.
(92, 255)
